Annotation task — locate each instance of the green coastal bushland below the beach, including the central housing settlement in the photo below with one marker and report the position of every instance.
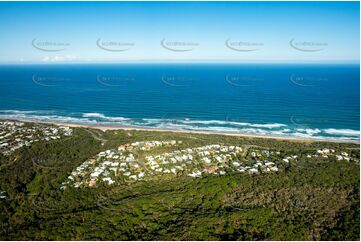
(312, 195)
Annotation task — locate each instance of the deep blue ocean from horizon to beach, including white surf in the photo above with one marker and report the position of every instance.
(319, 101)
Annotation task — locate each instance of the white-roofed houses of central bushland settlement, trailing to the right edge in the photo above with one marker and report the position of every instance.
(130, 163)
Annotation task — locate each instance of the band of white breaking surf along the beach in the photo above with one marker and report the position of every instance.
(216, 126)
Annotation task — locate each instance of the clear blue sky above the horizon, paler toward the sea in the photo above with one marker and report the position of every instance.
(275, 31)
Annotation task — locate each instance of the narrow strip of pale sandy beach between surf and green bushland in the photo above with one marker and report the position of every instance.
(106, 127)
